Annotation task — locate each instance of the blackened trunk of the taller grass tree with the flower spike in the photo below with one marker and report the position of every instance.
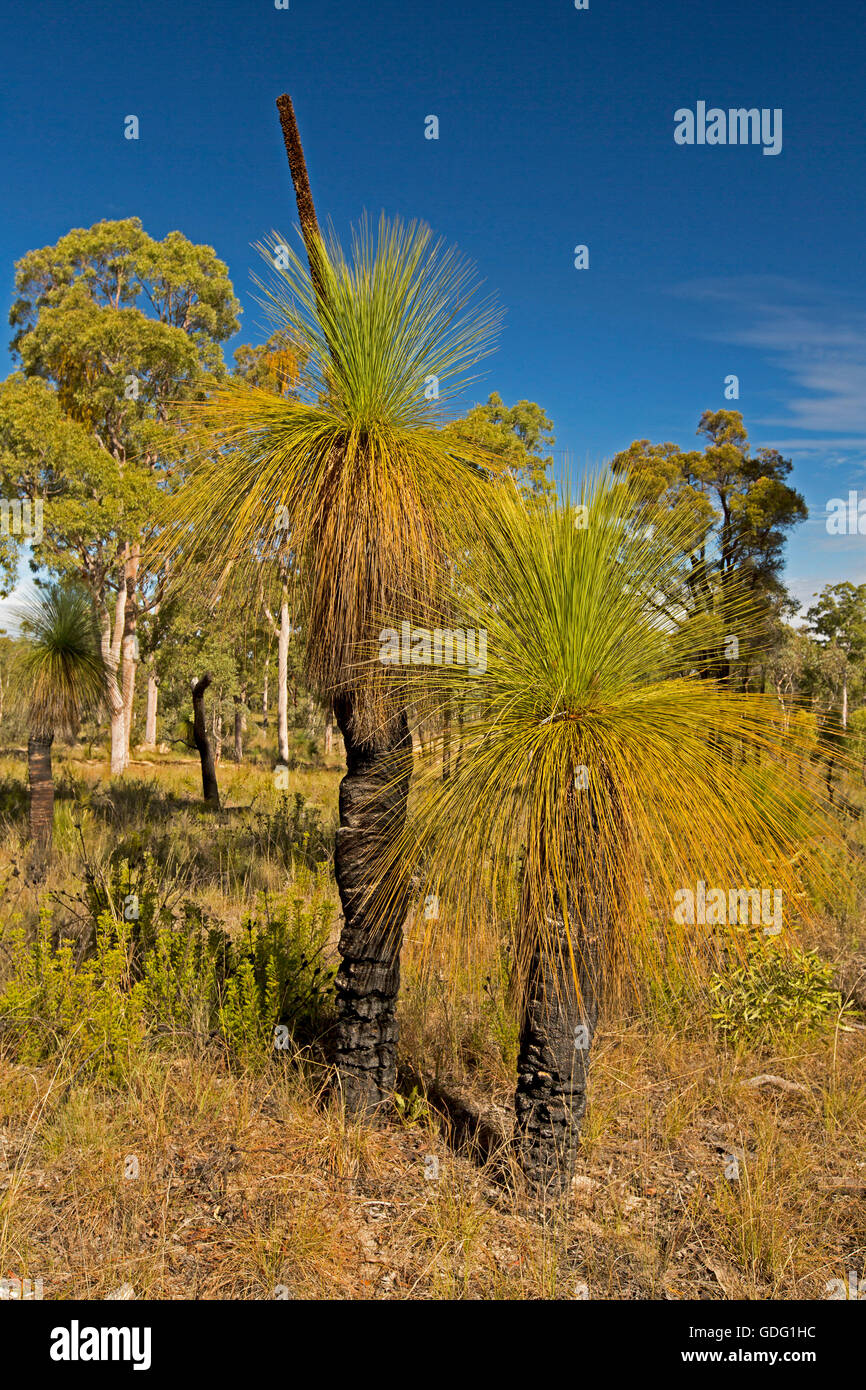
(373, 801)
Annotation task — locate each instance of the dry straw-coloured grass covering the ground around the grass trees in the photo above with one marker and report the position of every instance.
(251, 1186)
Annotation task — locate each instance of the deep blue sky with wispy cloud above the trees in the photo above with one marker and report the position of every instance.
(555, 129)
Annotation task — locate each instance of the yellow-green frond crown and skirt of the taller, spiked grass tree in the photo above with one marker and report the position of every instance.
(350, 493)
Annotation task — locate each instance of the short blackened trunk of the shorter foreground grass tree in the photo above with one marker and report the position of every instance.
(559, 1018)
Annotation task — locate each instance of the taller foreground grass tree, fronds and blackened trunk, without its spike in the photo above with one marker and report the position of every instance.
(355, 494)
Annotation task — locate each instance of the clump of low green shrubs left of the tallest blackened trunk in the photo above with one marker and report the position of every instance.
(152, 976)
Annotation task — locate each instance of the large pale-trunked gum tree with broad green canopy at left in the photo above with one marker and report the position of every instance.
(112, 329)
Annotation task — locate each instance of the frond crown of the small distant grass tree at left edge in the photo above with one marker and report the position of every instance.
(60, 675)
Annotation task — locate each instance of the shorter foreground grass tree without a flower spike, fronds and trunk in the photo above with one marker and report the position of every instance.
(600, 779)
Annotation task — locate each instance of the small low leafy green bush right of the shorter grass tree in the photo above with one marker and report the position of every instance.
(774, 995)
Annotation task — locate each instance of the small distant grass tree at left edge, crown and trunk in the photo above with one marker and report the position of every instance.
(60, 678)
